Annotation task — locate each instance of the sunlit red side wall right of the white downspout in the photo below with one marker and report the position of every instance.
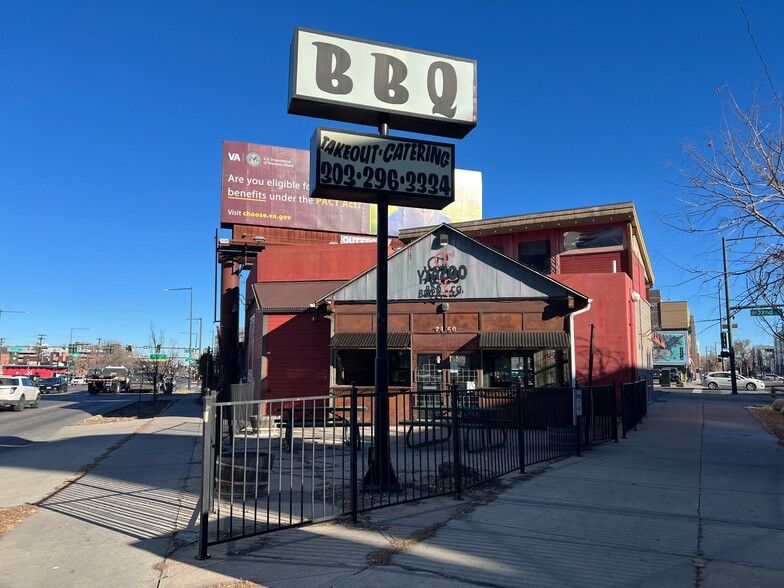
(612, 313)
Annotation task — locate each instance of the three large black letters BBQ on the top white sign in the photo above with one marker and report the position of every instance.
(332, 76)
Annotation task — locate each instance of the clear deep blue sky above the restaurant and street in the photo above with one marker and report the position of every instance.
(112, 116)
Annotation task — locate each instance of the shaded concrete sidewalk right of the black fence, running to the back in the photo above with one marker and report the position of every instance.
(692, 498)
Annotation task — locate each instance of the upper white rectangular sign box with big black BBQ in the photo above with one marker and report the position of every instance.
(351, 80)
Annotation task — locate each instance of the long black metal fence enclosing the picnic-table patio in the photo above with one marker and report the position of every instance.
(273, 464)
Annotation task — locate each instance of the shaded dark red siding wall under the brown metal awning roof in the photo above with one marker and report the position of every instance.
(298, 360)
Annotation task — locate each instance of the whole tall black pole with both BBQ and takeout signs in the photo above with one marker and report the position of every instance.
(364, 82)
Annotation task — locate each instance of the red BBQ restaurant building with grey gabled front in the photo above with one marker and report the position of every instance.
(524, 296)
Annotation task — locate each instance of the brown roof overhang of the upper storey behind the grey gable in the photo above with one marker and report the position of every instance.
(568, 218)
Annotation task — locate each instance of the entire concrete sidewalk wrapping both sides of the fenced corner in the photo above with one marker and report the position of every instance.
(692, 498)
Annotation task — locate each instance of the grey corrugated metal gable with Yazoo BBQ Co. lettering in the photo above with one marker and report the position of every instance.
(444, 265)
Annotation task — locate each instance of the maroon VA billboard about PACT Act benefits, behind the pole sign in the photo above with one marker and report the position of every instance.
(269, 186)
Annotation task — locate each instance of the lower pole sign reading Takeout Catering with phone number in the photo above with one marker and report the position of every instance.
(360, 166)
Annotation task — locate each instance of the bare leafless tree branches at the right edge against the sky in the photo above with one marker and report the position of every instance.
(734, 188)
